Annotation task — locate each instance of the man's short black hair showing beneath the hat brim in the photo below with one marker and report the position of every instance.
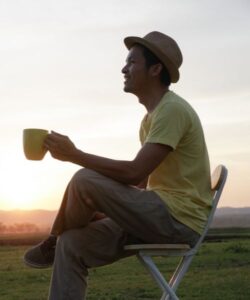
(152, 59)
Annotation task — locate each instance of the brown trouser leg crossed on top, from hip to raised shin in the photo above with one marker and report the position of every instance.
(141, 213)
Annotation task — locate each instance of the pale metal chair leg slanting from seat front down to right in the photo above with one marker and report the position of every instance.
(157, 276)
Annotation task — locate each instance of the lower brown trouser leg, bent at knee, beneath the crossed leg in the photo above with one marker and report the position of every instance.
(97, 244)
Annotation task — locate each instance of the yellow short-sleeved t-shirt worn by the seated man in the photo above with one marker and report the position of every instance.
(182, 180)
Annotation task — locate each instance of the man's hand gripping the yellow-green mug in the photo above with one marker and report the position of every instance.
(60, 146)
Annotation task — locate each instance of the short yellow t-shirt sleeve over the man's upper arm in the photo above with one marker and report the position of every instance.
(168, 125)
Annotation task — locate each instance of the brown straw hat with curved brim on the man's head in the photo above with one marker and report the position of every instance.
(164, 47)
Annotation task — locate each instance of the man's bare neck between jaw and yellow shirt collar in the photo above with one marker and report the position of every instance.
(152, 98)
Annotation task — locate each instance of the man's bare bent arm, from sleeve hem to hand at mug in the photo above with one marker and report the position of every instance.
(128, 172)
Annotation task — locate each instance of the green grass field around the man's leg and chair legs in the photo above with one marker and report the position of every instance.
(221, 270)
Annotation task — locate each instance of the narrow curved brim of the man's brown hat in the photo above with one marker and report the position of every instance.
(173, 71)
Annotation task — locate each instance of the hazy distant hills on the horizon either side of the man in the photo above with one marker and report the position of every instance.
(224, 217)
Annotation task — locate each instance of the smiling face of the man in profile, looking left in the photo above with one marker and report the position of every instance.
(135, 72)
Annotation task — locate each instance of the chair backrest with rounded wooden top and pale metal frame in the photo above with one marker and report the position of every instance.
(218, 181)
